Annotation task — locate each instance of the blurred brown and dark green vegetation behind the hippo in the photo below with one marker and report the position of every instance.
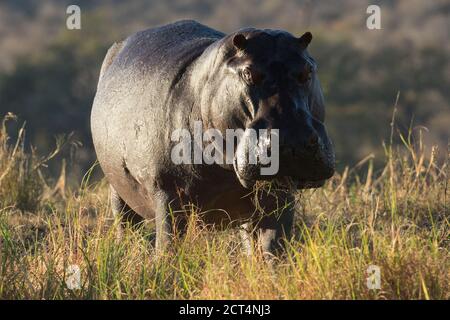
(48, 74)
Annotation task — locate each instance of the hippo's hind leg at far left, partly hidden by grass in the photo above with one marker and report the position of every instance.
(127, 216)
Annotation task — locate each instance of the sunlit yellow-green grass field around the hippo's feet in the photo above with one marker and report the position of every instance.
(395, 218)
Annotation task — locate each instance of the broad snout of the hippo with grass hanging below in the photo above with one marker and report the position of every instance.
(306, 157)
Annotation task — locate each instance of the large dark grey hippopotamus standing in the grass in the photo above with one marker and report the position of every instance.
(177, 75)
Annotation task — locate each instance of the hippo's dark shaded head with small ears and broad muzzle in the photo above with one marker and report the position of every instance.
(267, 80)
